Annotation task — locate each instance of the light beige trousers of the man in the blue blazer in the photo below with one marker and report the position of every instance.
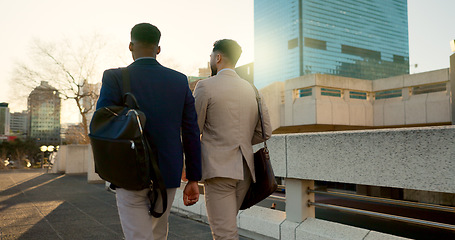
(136, 222)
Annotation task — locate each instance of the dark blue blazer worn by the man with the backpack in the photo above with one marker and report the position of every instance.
(165, 98)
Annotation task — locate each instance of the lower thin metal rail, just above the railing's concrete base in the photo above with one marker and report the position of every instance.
(385, 216)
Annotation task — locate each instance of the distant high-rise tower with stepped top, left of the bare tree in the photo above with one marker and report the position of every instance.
(44, 109)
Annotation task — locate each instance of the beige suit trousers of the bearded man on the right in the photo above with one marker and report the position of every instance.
(223, 198)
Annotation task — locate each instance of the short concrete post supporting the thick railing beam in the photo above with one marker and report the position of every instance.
(297, 208)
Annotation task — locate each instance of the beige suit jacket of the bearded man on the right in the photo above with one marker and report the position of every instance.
(229, 123)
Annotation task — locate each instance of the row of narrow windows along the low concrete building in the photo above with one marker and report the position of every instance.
(394, 93)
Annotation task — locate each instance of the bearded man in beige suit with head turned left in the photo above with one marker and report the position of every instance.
(228, 119)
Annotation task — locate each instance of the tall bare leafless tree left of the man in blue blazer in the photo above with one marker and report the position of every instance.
(71, 66)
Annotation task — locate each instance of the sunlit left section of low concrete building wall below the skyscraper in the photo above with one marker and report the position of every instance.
(317, 109)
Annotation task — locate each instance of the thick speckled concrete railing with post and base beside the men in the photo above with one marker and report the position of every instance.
(413, 158)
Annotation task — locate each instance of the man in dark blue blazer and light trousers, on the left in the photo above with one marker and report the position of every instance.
(165, 98)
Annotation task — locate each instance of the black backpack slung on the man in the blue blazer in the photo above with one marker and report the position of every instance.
(121, 151)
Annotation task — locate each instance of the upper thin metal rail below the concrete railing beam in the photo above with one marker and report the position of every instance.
(385, 200)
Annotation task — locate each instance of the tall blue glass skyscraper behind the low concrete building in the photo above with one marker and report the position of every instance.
(366, 39)
